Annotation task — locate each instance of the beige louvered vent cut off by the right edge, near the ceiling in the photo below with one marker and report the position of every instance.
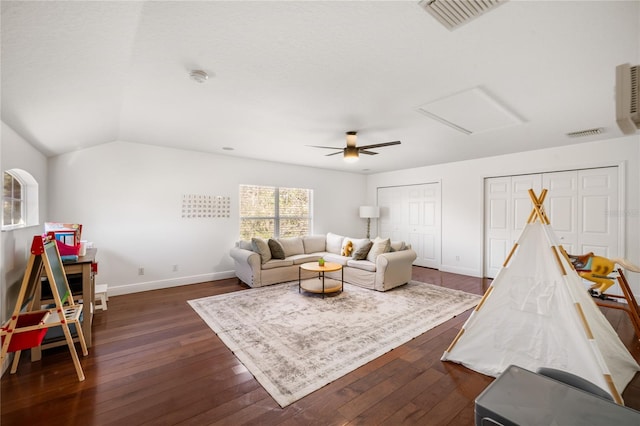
(628, 98)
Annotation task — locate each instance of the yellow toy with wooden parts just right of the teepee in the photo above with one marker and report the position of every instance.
(597, 269)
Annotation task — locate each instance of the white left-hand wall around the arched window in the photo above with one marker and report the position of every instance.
(17, 153)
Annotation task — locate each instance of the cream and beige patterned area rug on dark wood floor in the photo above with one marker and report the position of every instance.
(294, 344)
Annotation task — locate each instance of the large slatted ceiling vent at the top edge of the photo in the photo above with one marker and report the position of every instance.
(453, 13)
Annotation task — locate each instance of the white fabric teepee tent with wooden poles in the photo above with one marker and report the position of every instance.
(537, 313)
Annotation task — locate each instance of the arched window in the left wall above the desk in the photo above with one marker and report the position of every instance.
(19, 200)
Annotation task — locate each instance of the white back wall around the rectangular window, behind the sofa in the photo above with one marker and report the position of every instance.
(128, 197)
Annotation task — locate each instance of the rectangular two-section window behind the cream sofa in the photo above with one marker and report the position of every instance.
(267, 211)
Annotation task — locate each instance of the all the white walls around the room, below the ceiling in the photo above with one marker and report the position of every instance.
(128, 197)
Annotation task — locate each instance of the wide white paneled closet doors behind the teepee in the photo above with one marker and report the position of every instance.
(581, 206)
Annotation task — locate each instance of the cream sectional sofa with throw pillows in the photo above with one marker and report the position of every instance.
(382, 269)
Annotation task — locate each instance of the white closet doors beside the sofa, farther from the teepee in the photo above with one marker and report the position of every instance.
(412, 214)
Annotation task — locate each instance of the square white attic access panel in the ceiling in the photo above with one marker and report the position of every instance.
(471, 111)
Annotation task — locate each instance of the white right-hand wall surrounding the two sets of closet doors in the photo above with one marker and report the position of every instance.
(462, 194)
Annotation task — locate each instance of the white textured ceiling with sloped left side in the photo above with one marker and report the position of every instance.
(288, 74)
